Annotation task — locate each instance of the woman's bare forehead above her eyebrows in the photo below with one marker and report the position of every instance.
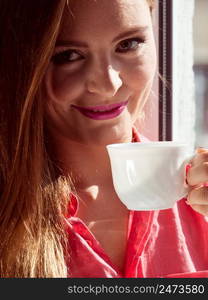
(91, 16)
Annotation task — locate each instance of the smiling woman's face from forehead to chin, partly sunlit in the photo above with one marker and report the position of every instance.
(101, 71)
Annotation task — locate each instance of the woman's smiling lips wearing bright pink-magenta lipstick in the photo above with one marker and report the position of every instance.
(102, 112)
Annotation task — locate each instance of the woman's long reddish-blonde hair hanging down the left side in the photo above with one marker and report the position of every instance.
(33, 198)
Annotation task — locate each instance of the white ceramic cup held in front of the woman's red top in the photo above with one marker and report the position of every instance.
(149, 175)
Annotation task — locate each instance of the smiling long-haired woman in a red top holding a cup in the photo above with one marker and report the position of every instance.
(75, 76)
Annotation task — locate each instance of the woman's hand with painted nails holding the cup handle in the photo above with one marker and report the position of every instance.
(197, 179)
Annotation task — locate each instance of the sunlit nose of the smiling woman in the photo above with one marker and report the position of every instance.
(104, 80)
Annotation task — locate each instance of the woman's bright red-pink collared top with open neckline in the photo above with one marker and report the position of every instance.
(166, 243)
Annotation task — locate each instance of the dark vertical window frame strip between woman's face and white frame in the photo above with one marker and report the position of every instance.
(165, 37)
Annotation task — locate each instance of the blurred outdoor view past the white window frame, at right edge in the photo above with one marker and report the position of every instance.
(200, 41)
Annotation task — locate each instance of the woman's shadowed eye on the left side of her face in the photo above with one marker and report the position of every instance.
(65, 57)
